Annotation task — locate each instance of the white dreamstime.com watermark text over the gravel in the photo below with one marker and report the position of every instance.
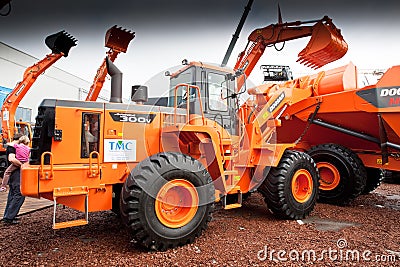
(340, 253)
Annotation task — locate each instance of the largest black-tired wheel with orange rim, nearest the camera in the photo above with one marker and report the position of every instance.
(141, 199)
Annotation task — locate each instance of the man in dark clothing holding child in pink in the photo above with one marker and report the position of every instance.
(15, 198)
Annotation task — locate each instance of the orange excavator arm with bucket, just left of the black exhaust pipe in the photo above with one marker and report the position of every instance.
(117, 39)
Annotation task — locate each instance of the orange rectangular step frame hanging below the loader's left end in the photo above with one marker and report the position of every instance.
(71, 192)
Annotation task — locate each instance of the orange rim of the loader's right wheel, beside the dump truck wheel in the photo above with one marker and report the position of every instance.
(302, 186)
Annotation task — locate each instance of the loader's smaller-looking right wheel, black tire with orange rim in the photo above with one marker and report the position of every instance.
(279, 187)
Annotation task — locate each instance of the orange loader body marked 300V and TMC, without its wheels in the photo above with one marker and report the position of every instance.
(126, 134)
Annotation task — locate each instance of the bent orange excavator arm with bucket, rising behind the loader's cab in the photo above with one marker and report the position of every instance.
(326, 44)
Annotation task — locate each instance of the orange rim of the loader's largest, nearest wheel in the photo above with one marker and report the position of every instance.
(176, 203)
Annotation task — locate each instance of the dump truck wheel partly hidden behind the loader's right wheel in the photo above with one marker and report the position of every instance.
(345, 166)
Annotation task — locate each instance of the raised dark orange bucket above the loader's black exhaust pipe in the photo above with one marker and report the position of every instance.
(118, 39)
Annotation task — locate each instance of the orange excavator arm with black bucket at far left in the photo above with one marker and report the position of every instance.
(60, 44)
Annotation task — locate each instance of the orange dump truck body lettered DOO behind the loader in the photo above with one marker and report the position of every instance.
(362, 119)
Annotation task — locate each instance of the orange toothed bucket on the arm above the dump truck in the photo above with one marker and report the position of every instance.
(326, 45)
